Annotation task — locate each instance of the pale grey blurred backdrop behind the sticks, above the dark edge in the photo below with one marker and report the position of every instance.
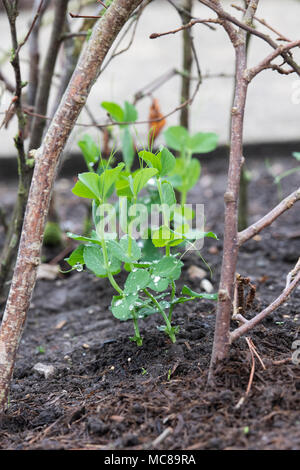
(273, 108)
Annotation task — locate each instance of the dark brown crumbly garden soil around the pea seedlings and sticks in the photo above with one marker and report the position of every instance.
(107, 393)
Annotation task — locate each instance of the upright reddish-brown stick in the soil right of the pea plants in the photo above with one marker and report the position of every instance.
(230, 247)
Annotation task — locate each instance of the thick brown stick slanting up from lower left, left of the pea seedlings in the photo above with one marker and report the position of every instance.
(47, 157)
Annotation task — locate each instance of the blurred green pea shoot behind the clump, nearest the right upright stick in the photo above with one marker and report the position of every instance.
(187, 170)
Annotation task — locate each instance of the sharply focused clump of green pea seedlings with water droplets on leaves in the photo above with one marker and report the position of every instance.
(150, 285)
